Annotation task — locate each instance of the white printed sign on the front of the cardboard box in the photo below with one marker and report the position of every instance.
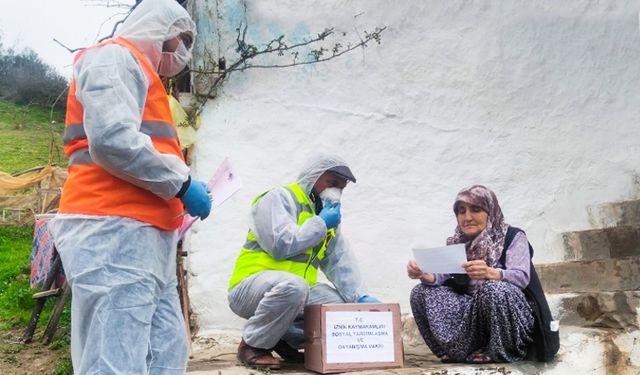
(359, 336)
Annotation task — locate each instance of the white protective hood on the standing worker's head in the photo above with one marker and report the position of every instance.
(152, 23)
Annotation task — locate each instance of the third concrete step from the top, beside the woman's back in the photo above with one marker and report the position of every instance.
(601, 275)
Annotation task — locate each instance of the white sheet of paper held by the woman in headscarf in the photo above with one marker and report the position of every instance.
(445, 259)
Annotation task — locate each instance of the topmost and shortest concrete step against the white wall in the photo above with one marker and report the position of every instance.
(611, 214)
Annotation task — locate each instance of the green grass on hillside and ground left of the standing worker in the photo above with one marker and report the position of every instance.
(27, 133)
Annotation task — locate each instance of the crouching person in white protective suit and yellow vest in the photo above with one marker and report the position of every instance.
(294, 231)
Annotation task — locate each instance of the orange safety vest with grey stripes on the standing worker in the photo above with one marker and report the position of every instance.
(92, 190)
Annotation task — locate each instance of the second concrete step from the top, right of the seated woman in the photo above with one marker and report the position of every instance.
(615, 242)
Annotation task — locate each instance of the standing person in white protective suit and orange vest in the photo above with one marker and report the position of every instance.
(127, 188)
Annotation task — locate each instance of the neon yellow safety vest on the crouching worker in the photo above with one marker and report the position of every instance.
(254, 259)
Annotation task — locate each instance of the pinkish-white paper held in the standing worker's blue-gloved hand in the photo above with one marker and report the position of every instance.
(224, 183)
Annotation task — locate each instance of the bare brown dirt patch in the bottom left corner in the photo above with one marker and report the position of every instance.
(17, 358)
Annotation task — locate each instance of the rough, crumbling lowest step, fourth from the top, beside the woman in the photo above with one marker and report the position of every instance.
(618, 310)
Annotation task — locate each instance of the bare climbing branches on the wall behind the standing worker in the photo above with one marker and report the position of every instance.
(209, 69)
